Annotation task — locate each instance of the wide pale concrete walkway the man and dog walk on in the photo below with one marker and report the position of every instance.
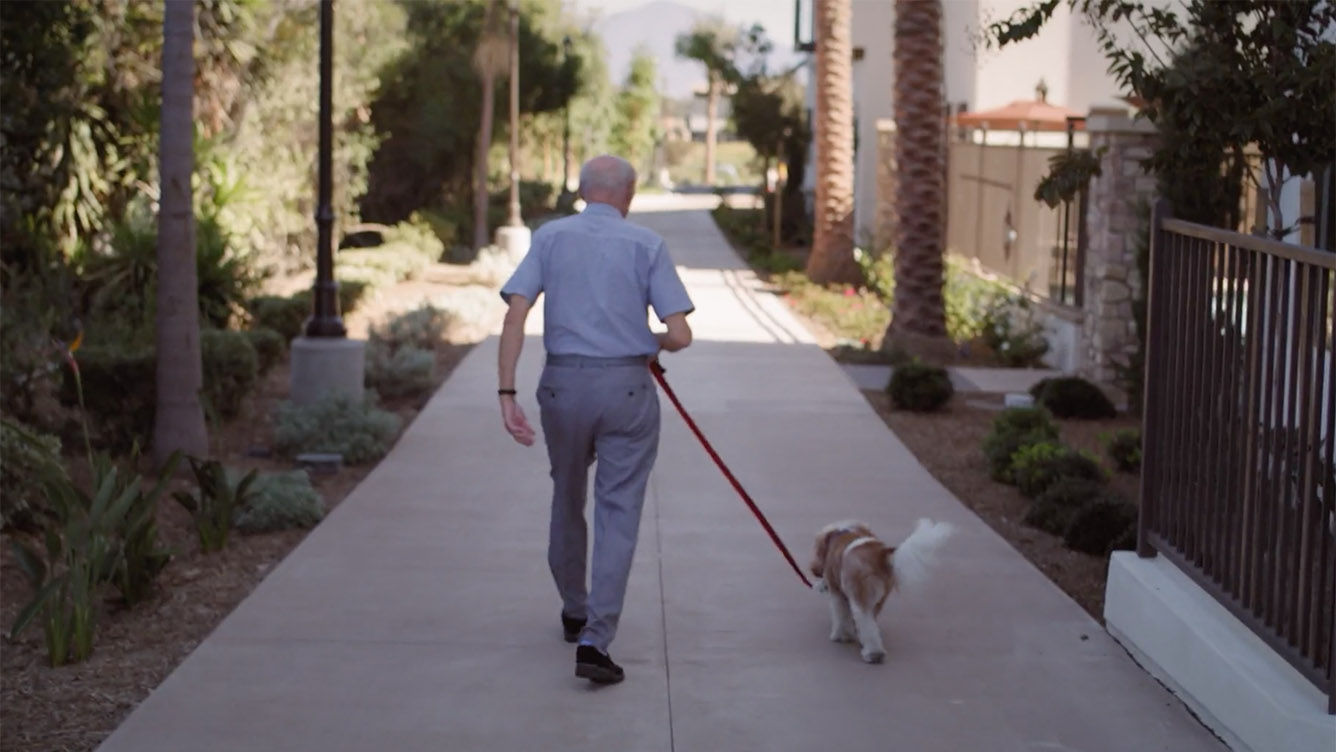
(420, 615)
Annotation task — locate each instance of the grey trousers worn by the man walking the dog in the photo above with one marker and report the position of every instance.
(605, 412)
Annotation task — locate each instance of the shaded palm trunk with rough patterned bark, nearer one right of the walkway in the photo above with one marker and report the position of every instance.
(918, 316)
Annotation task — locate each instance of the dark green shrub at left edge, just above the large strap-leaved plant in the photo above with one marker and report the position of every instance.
(29, 460)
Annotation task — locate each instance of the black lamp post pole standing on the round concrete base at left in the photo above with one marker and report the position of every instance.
(325, 320)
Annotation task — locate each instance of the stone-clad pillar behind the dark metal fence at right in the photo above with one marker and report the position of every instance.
(1111, 280)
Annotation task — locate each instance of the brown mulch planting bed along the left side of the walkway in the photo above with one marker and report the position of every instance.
(77, 707)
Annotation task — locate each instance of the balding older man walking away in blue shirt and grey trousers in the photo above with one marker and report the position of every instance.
(597, 396)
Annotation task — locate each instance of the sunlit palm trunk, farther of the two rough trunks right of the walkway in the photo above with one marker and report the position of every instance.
(833, 238)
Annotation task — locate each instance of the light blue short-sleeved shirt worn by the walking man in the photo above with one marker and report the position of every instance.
(602, 274)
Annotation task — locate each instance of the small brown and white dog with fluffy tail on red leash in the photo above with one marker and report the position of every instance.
(857, 571)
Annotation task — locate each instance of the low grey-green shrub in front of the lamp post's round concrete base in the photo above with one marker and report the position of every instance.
(336, 424)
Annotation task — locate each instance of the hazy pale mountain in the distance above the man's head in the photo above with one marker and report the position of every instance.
(657, 27)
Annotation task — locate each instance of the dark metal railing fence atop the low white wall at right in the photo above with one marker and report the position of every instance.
(1239, 482)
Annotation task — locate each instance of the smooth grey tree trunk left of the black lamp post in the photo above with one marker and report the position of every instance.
(180, 419)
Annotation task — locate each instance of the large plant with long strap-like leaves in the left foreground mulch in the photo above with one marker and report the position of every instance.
(78, 552)
